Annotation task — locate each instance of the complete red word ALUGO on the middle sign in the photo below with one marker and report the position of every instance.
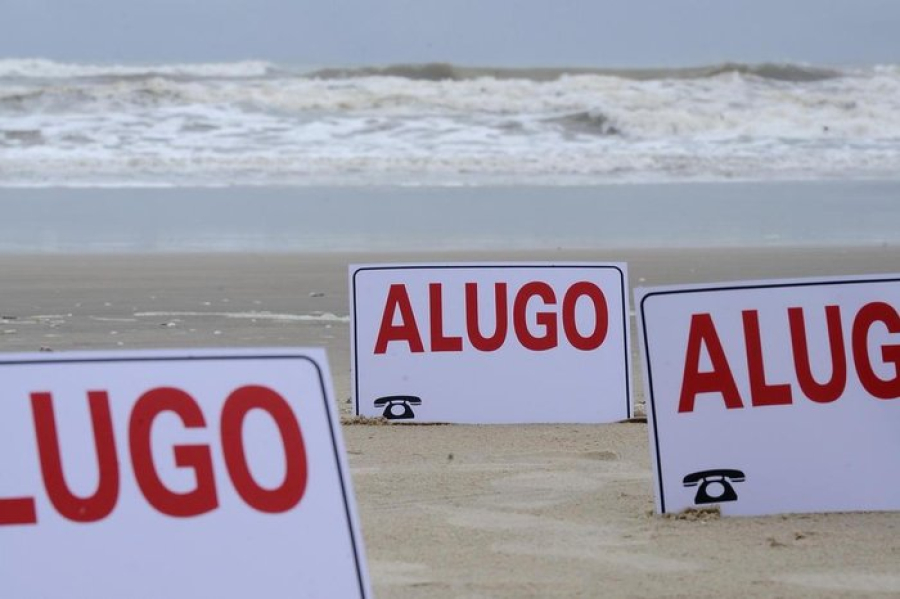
(540, 335)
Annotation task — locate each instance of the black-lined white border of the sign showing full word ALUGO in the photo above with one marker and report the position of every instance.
(617, 266)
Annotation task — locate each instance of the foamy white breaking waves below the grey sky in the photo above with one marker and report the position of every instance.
(257, 123)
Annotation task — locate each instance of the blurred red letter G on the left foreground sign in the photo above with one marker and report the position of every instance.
(193, 503)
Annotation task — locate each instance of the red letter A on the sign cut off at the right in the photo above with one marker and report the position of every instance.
(719, 379)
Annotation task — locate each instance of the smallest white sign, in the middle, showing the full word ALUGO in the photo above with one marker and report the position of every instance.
(491, 343)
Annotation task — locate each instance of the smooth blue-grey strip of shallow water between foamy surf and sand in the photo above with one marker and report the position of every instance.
(416, 219)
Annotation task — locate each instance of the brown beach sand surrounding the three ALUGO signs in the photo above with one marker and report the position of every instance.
(475, 511)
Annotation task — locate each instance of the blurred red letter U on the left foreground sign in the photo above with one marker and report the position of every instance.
(101, 503)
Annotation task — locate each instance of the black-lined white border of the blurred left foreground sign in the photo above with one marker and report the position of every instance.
(188, 355)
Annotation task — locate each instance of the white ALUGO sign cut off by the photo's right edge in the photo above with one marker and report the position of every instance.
(774, 397)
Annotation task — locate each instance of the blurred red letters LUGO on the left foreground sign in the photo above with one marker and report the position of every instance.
(204, 497)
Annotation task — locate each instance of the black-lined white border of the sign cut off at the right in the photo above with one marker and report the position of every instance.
(642, 294)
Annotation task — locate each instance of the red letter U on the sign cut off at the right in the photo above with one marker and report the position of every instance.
(830, 391)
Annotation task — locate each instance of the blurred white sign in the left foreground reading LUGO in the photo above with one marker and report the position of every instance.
(174, 474)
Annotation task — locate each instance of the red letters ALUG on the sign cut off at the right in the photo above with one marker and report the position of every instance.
(720, 379)
